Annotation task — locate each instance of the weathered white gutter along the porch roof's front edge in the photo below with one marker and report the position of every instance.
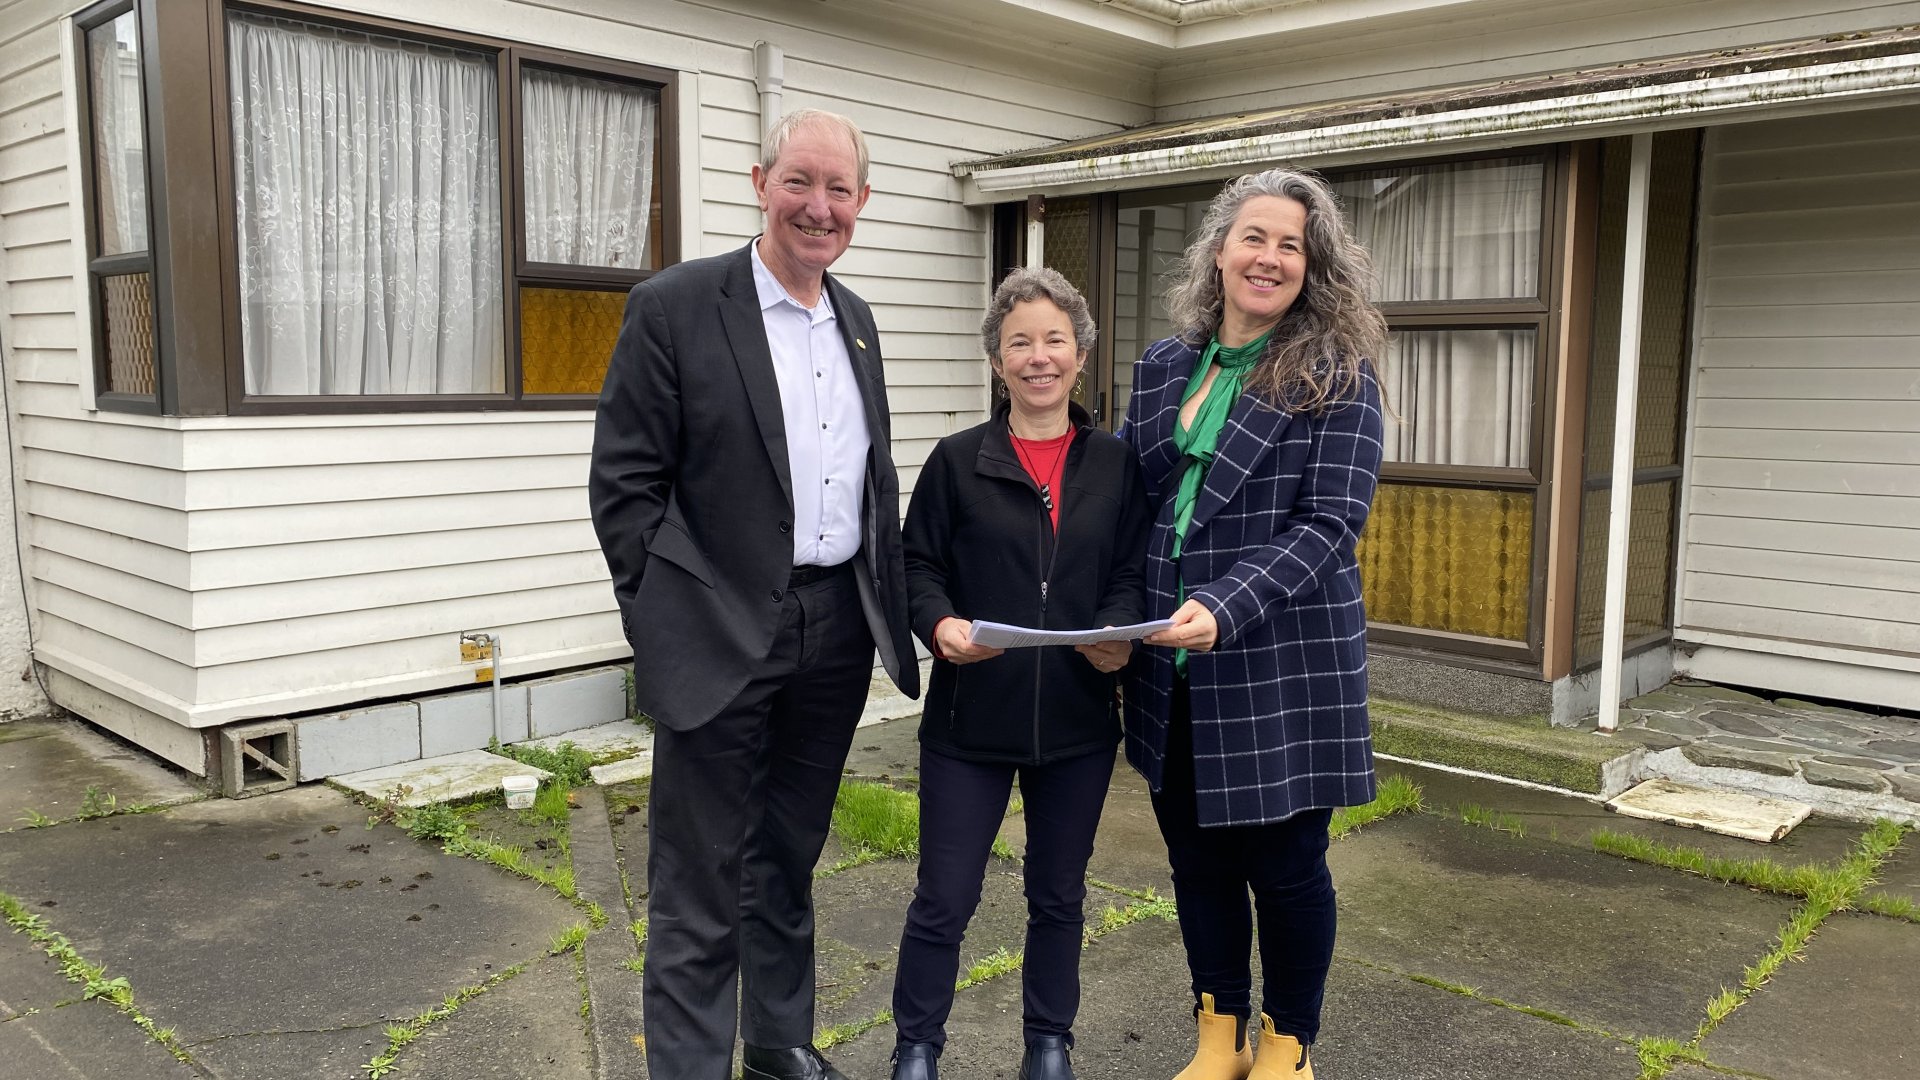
(1689, 103)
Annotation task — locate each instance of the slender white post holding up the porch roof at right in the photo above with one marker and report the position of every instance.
(1625, 414)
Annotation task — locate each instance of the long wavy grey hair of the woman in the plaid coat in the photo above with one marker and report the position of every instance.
(1320, 343)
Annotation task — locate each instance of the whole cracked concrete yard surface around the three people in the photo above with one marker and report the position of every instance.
(281, 937)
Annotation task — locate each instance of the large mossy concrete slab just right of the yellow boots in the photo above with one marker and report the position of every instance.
(1541, 925)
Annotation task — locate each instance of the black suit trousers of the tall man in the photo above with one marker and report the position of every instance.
(738, 816)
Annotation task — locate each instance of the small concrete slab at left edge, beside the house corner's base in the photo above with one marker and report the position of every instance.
(49, 764)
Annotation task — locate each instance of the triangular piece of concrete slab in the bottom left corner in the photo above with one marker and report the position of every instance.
(49, 1033)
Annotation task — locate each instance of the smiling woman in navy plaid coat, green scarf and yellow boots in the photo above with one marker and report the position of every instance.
(1259, 431)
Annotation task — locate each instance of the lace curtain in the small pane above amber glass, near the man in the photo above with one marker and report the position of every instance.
(588, 176)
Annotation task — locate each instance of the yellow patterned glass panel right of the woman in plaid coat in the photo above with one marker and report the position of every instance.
(1456, 560)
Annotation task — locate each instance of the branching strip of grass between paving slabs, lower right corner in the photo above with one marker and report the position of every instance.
(1829, 891)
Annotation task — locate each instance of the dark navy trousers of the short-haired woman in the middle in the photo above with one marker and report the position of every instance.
(961, 812)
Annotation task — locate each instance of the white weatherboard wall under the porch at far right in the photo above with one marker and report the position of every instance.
(1804, 474)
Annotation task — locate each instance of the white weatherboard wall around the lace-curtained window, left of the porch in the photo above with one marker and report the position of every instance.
(214, 570)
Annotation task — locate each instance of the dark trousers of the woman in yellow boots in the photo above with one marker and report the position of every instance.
(1282, 864)
